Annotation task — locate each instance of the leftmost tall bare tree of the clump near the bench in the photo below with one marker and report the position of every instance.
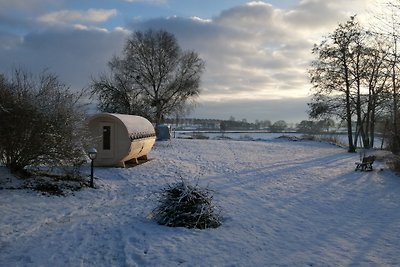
(332, 74)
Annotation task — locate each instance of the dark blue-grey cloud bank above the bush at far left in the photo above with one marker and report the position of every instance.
(75, 55)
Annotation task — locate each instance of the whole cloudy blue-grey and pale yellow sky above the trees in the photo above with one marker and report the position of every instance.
(257, 53)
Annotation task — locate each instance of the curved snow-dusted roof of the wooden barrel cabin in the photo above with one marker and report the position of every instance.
(135, 125)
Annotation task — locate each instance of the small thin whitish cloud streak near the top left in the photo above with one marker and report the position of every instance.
(75, 16)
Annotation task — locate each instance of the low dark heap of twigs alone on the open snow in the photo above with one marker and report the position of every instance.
(184, 205)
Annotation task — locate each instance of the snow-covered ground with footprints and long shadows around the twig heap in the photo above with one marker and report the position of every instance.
(283, 204)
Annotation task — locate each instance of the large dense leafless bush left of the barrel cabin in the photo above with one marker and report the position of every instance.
(42, 122)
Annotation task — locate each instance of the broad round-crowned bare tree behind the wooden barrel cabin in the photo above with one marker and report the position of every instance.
(154, 77)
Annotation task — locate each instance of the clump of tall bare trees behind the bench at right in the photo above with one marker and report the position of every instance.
(369, 68)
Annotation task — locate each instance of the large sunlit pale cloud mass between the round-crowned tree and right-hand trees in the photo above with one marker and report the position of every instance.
(257, 51)
